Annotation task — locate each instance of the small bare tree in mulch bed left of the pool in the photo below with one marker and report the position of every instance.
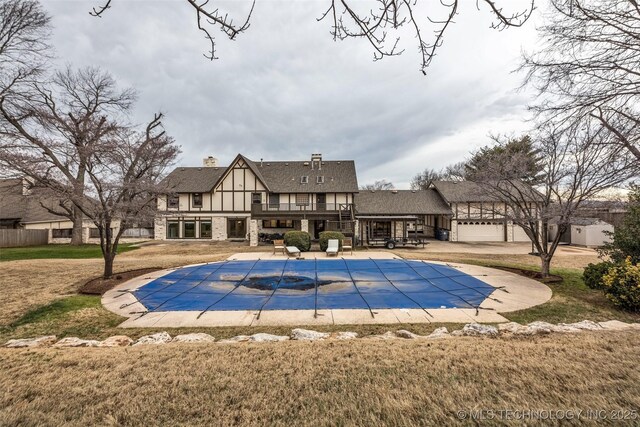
(124, 173)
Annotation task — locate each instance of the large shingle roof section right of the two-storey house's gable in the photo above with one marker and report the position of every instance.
(285, 177)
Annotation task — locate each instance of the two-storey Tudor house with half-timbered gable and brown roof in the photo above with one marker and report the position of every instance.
(248, 197)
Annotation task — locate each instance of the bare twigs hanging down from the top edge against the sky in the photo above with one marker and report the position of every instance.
(379, 22)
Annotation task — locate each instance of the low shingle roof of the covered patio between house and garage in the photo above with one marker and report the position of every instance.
(401, 202)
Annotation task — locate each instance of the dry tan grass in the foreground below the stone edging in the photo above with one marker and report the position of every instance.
(325, 383)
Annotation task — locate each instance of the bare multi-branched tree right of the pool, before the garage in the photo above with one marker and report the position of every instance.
(577, 165)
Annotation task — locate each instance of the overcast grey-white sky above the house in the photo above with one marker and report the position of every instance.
(285, 89)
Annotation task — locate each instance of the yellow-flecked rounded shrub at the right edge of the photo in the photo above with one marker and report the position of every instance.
(622, 285)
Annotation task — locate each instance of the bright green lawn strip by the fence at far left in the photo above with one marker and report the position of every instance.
(58, 251)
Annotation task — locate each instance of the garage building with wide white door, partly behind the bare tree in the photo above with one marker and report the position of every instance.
(476, 215)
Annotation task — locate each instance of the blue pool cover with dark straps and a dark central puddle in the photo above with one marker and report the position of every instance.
(313, 285)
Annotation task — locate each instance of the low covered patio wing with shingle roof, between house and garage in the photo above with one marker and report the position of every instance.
(400, 214)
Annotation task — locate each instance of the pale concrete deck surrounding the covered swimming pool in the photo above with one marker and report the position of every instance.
(514, 292)
